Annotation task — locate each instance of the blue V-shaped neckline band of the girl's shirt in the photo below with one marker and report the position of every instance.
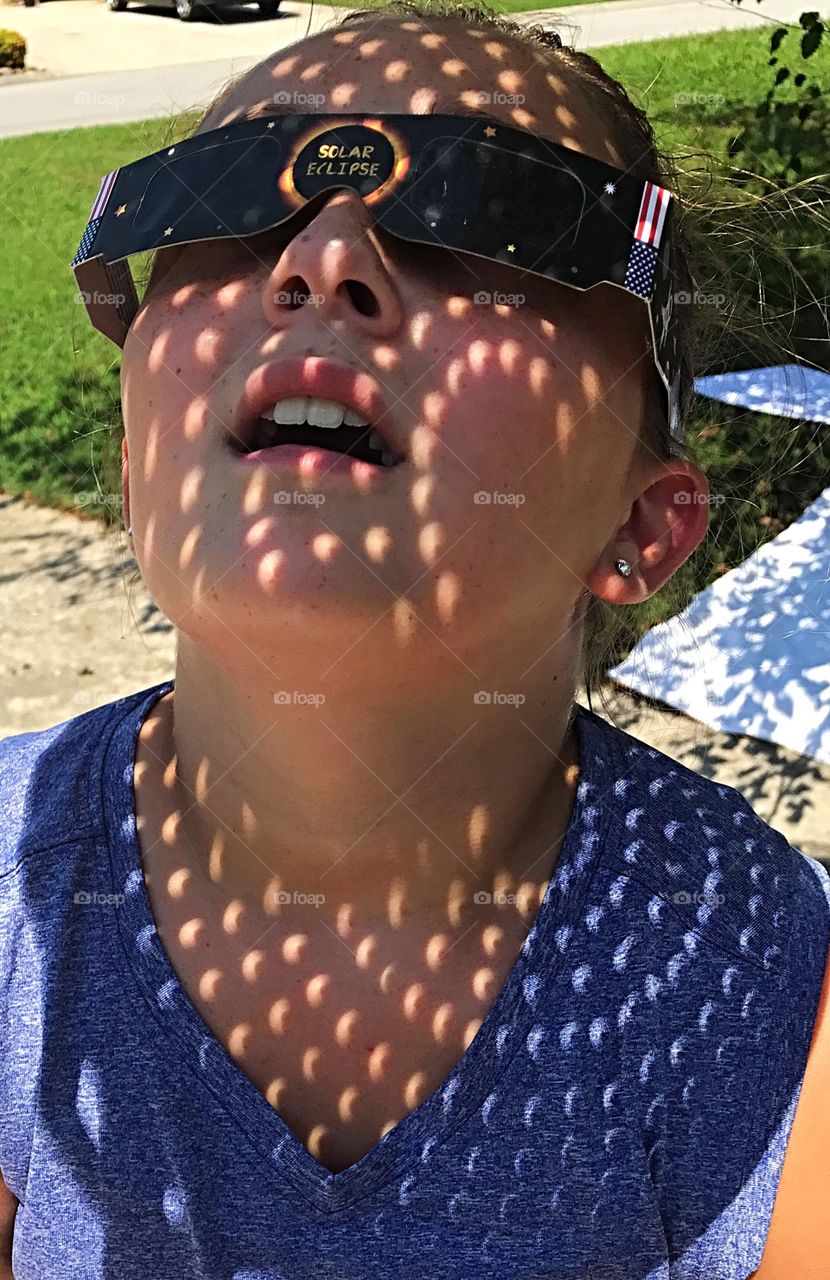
(512, 1025)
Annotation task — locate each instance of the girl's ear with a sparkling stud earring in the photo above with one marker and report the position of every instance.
(667, 522)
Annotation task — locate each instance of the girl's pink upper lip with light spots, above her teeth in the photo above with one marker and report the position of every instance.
(314, 376)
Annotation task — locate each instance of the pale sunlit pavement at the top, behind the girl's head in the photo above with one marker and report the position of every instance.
(95, 67)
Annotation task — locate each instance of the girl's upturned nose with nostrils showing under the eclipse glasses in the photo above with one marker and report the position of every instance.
(334, 269)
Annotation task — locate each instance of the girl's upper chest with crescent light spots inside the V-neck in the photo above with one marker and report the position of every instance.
(343, 1039)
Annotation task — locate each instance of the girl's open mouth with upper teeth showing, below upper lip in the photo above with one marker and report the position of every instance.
(321, 423)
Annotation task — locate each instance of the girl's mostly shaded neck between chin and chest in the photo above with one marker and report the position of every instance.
(402, 802)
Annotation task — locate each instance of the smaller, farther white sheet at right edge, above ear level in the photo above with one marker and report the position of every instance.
(788, 391)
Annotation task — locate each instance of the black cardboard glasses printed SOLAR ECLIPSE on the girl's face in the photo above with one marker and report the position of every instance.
(469, 185)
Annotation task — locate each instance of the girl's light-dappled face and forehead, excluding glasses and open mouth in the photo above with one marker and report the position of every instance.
(519, 419)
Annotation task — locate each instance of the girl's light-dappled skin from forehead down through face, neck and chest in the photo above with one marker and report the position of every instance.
(348, 957)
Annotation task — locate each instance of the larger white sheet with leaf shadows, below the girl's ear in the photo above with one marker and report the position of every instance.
(751, 653)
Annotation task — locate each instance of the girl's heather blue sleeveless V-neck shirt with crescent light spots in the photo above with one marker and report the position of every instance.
(622, 1114)
